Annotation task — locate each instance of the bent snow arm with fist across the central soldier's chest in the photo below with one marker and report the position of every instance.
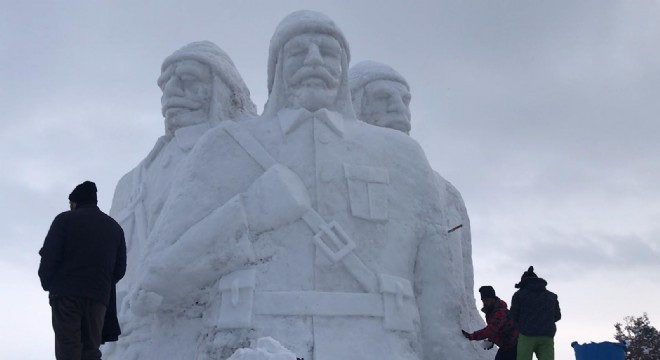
(222, 241)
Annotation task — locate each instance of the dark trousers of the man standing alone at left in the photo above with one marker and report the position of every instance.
(77, 323)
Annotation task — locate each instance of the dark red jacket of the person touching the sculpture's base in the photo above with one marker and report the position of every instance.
(500, 328)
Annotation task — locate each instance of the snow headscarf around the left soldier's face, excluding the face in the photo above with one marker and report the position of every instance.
(237, 103)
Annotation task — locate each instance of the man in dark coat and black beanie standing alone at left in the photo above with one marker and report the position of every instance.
(83, 257)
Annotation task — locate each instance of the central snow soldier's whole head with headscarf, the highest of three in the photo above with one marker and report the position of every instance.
(308, 65)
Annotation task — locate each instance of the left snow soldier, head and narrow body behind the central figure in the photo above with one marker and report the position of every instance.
(201, 88)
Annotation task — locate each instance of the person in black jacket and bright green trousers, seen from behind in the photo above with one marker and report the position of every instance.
(535, 311)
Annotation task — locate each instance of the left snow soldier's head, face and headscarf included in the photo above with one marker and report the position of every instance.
(200, 83)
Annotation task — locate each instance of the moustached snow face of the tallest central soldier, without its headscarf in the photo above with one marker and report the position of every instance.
(311, 68)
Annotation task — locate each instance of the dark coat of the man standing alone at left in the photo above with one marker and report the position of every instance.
(84, 254)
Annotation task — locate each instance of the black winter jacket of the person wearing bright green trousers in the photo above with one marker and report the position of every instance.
(535, 309)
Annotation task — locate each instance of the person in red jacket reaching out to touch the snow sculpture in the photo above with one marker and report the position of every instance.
(500, 328)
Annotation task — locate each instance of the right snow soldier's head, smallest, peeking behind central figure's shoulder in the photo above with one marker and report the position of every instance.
(380, 95)
